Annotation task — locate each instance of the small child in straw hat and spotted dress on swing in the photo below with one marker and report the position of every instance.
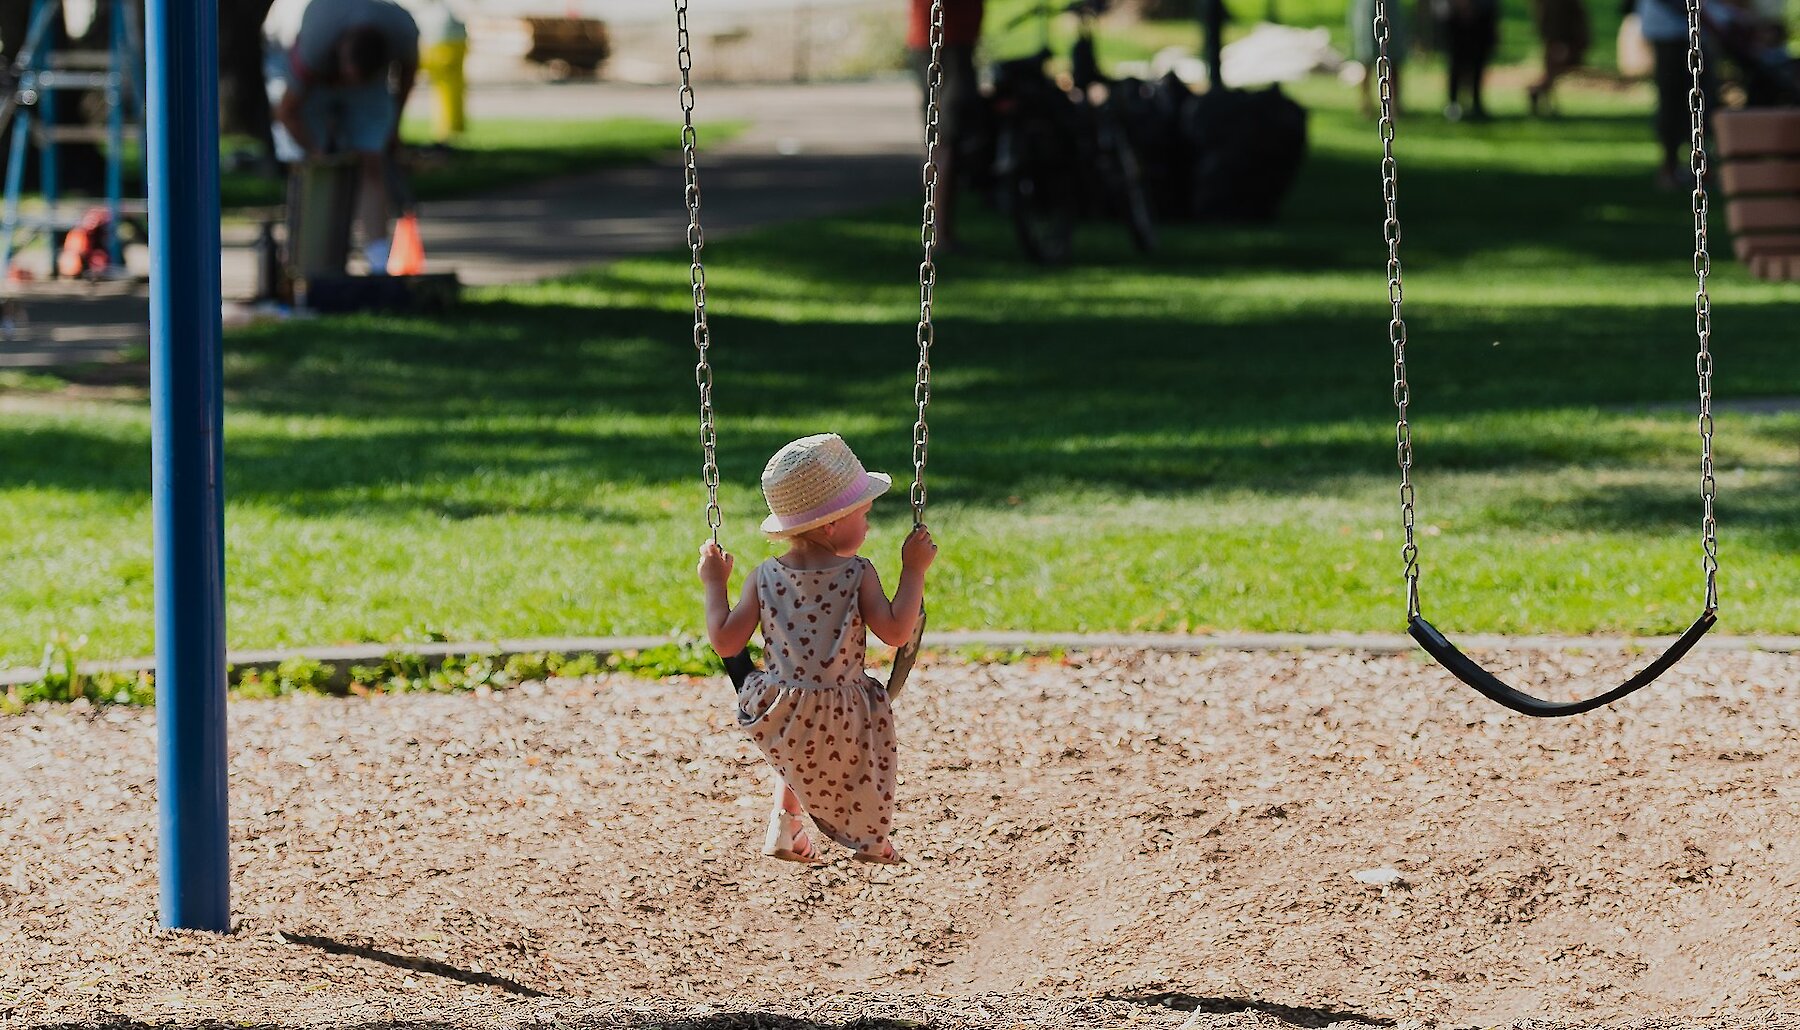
(816, 714)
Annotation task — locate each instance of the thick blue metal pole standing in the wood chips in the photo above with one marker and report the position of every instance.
(188, 462)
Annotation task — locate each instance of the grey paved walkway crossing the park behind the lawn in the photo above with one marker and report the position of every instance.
(807, 150)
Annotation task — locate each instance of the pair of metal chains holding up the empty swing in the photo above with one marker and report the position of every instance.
(1702, 307)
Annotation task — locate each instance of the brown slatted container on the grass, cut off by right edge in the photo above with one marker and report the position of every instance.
(1761, 177)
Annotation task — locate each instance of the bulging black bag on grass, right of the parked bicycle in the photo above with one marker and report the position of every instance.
(1245, 149)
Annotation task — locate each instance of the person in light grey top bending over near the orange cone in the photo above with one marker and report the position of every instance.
(339, 77)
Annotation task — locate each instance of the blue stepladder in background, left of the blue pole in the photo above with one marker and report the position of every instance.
(28, 109)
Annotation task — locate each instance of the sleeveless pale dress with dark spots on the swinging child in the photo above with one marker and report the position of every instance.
(814, 710)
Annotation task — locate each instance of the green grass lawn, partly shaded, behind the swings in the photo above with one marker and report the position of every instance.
(1194, 442)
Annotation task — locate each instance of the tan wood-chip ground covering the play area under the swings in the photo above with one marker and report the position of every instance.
(1110, 840)
